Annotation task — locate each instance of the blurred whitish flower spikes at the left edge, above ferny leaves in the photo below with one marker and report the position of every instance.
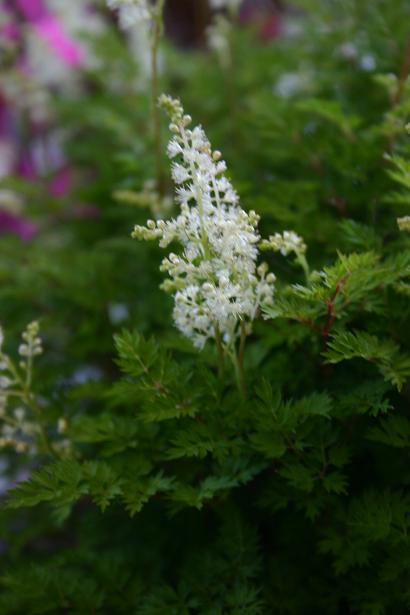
(20, 427)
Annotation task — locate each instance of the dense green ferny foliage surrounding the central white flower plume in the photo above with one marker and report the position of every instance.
(179, 496)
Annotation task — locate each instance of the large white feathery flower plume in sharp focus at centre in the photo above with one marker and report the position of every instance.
(215, 280)
